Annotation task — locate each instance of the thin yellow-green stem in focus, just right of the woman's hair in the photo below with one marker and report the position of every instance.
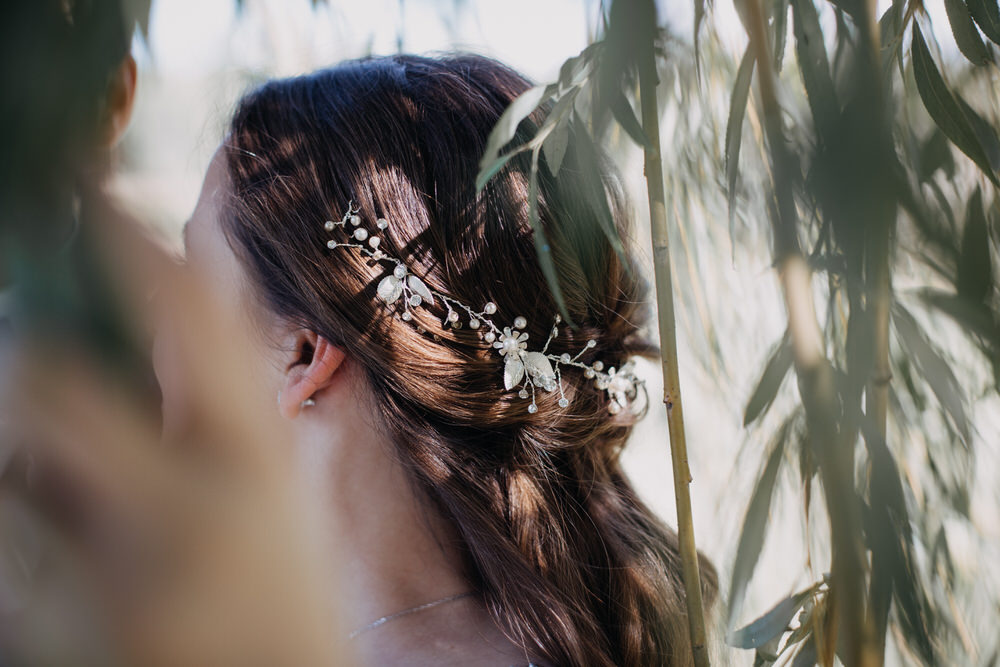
(653, 168)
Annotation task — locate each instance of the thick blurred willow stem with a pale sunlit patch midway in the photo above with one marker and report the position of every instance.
(815, 377)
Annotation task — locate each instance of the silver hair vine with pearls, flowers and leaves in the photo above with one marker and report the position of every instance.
(530, 369)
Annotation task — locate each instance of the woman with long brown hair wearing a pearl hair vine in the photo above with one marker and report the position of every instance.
(479, 523)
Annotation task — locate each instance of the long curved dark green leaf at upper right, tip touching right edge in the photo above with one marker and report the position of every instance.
(943, 108)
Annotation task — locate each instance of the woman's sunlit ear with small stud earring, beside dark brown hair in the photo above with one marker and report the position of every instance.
(313, 368)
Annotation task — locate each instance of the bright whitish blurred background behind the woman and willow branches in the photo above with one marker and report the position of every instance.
(196, 57)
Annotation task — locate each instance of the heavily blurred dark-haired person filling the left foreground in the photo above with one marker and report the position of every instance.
(117, 547)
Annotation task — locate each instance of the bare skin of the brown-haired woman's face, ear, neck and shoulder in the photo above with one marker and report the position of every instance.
(396, 552)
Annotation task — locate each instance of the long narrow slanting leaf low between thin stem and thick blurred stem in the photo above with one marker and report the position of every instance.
(755, 524)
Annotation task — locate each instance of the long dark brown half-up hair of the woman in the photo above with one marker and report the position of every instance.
(563, 552)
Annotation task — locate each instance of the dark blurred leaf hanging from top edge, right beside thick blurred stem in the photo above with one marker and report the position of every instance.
(815, 67)
